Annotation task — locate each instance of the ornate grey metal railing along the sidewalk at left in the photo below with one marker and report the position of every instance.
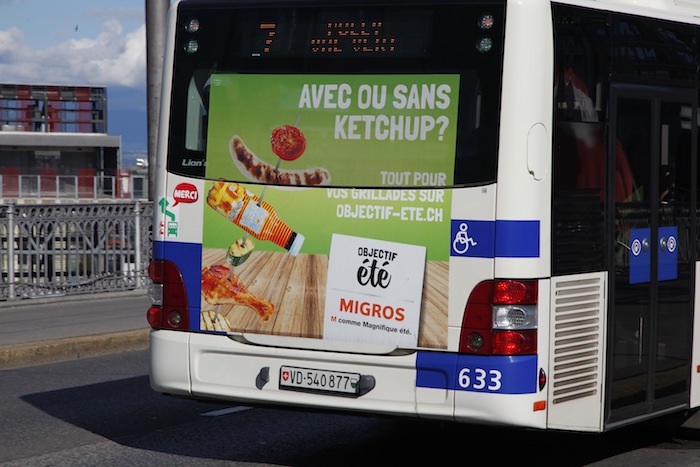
(70, 249)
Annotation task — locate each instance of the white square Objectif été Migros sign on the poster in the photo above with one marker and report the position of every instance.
(373, 291)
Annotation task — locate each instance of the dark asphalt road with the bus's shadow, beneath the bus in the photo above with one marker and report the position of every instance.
(101, 411)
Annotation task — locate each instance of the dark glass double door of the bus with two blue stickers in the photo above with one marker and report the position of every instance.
(650, 156)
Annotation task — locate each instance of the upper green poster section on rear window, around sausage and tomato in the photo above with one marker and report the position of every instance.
(252, 106)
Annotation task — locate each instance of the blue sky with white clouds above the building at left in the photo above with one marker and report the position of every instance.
(82, 42)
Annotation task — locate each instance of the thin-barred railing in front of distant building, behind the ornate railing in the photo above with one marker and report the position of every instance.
(73, 187)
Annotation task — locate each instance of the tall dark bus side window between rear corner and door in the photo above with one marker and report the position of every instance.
(579, 156)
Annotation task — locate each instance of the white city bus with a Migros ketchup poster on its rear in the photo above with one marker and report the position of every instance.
(476, 211)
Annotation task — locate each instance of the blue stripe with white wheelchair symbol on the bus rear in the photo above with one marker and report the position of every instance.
(499, 239)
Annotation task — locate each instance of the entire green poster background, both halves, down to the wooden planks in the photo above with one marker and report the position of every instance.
(252, 106)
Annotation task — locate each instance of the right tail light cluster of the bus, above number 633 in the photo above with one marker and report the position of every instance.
(501, 319)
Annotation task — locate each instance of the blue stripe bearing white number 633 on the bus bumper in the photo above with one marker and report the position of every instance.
(490, 374)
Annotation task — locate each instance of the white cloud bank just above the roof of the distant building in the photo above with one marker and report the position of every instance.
(112, 58)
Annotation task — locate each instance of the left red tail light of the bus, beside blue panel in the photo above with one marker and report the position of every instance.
(169, 309)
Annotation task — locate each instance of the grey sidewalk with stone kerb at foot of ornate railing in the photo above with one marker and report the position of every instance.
(48, 330)
